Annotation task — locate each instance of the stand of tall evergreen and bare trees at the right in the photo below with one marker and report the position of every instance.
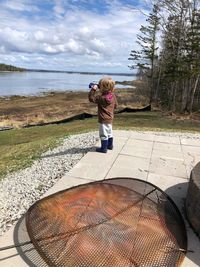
(168, 58)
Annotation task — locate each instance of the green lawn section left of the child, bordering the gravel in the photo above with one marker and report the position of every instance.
(20, 147)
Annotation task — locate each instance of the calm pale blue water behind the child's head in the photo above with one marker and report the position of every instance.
(34, 83)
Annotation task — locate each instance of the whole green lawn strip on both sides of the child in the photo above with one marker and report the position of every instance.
(20, 147)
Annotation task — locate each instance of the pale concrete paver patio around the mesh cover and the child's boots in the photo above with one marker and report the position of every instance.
(165, 161)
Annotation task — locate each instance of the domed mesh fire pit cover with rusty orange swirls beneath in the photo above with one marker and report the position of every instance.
(116, 222)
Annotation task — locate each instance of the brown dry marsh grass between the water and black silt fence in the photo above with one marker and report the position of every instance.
(20, 111)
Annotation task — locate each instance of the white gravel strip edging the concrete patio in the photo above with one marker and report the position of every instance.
(18, 191)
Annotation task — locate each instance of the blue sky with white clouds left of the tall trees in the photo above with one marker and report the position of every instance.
(70, 35)
